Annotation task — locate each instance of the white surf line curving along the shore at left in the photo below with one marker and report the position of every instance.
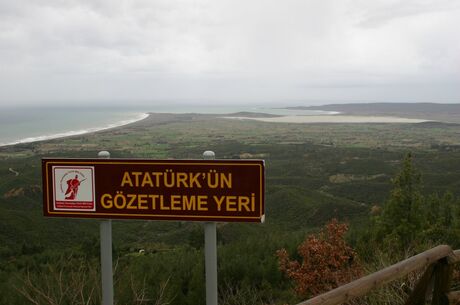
(140, 117)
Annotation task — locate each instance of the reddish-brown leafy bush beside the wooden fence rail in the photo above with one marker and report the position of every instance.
(327, 261)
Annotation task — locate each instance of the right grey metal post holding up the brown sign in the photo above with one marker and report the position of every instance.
(210, 250)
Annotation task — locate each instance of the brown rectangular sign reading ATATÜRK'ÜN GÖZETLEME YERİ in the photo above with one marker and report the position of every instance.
(190, 190)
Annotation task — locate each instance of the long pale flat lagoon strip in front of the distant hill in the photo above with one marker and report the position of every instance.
(332, 119)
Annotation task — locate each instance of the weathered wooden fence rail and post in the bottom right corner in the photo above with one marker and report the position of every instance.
(437, 277)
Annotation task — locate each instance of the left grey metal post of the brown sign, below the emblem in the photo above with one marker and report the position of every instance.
(106, 253)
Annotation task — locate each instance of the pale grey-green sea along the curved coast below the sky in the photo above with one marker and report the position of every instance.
(30, 124)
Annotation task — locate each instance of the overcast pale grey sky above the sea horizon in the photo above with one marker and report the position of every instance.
(229, 51)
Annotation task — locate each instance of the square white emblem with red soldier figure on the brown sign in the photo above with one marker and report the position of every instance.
(74, 188)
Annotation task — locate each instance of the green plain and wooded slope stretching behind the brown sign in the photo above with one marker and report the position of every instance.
(313, 173)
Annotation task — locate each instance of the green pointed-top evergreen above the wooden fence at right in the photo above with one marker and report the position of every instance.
(411, 221)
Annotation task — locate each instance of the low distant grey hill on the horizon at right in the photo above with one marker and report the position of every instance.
(430, 111)
